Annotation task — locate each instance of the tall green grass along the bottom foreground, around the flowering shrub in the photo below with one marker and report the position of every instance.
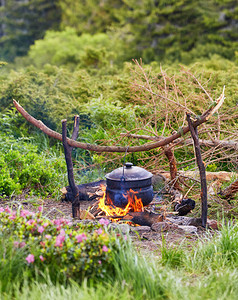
(207, 271)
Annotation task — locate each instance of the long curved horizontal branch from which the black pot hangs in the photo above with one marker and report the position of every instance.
(97, 148)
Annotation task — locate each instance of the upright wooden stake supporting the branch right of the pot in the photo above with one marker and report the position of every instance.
(202, 170)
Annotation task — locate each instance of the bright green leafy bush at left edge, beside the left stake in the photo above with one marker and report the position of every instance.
(24, 168)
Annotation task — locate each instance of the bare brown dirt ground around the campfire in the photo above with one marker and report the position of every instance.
(144, 238)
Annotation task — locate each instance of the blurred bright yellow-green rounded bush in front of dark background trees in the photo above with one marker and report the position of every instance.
(67, 48)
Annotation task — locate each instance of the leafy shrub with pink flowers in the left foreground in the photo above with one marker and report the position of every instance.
(67, 251)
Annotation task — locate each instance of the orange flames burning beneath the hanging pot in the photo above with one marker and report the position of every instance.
(134, 204)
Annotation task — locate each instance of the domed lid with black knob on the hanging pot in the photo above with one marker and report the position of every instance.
(131, 173)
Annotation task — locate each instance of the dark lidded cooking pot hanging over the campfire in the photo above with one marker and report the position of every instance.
(122, 180)
